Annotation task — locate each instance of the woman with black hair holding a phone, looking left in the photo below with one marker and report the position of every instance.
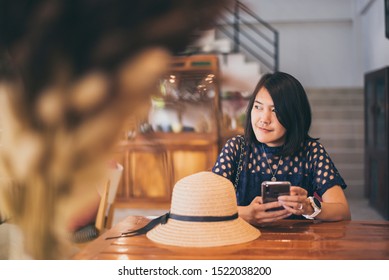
(277, 146)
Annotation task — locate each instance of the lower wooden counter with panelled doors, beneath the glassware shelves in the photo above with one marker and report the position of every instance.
(154, 162)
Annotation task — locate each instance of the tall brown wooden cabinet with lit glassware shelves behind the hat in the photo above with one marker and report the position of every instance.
(179, 135)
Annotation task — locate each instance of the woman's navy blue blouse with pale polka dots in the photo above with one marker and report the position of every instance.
(310, 168)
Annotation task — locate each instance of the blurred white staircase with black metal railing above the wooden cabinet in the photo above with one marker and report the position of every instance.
(245, 43)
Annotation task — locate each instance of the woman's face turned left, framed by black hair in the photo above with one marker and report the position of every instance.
(267, 128)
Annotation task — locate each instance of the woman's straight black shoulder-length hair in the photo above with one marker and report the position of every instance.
(292, 110)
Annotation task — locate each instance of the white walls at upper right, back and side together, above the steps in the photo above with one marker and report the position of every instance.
(327, 44)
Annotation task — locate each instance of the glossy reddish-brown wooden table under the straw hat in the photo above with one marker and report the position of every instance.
(287, 239)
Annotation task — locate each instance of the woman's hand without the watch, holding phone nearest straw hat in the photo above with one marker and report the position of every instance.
(256, 212)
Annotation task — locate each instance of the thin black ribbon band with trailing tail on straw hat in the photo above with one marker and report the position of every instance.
(164, 218)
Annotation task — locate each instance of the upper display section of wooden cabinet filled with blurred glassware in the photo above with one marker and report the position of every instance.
(185, 103)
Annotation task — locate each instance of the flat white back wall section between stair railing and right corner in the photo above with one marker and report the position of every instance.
(318, 53)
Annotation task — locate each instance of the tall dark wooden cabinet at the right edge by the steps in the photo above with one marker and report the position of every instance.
(376, 139)
